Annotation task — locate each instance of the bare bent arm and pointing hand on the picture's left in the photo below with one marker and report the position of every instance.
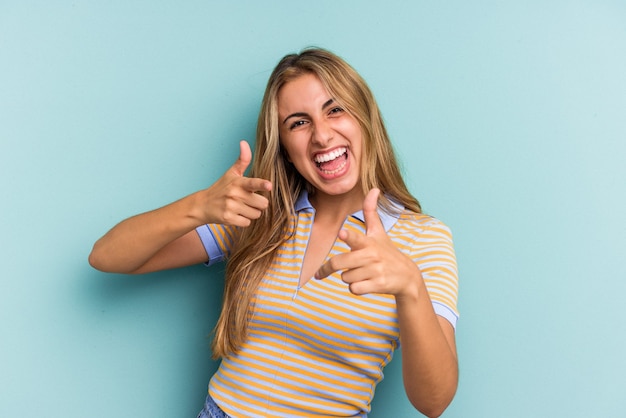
(165, 238)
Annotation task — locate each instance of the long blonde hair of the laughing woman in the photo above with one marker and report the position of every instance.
(256, 245)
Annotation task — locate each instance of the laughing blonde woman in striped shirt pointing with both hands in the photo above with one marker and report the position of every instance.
(331, 265)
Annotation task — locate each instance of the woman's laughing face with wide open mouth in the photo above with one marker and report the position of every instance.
(321, 139)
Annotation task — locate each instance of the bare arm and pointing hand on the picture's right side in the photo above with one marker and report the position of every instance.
(376, 265)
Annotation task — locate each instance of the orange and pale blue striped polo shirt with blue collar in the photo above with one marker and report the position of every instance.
(319, 350)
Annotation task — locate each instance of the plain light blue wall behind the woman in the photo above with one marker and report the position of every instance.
(510, 120)
